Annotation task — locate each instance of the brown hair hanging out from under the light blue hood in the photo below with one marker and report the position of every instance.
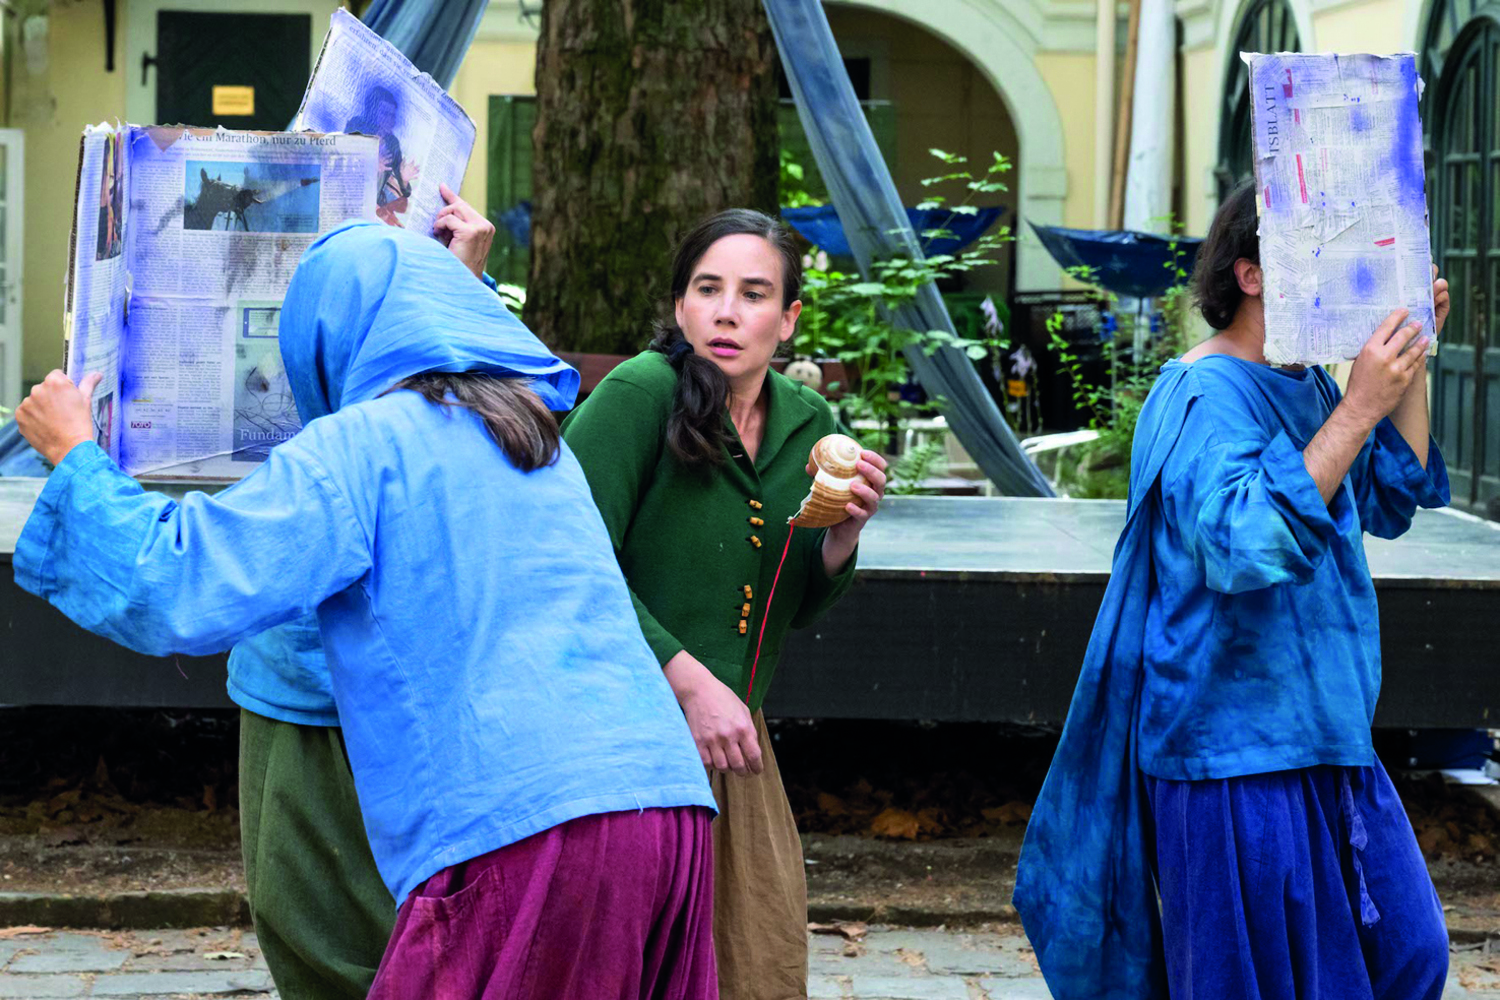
(515, 416)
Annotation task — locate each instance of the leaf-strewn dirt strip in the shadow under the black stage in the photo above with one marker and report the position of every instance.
(902, 824)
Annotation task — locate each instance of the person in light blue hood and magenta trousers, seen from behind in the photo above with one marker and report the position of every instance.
(517, 752)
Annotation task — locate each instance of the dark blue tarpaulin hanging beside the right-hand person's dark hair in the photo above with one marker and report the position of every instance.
(1127, 263)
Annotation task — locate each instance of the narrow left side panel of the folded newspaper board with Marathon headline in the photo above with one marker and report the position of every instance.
(97, 289)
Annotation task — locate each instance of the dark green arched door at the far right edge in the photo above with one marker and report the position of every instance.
(1466, 223)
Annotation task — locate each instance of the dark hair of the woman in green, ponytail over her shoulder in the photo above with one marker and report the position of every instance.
(695, 430)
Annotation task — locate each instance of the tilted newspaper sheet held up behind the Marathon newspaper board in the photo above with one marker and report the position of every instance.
(362, 83)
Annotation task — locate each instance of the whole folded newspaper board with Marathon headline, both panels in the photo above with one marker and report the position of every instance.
(182, 250)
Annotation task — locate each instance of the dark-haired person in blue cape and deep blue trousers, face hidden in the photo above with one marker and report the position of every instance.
(1217, 755)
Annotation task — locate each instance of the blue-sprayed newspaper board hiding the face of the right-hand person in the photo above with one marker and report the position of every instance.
(1343, 200)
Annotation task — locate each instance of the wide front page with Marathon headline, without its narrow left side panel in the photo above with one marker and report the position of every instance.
(223, 223)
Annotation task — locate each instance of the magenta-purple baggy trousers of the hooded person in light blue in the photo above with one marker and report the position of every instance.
(613, 906)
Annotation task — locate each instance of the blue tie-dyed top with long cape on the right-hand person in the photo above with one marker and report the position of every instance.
(1238, 635)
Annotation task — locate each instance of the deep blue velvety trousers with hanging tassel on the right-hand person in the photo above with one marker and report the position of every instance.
(1297, 884)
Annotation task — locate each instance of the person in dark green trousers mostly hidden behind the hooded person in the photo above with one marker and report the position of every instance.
(322, 911)
